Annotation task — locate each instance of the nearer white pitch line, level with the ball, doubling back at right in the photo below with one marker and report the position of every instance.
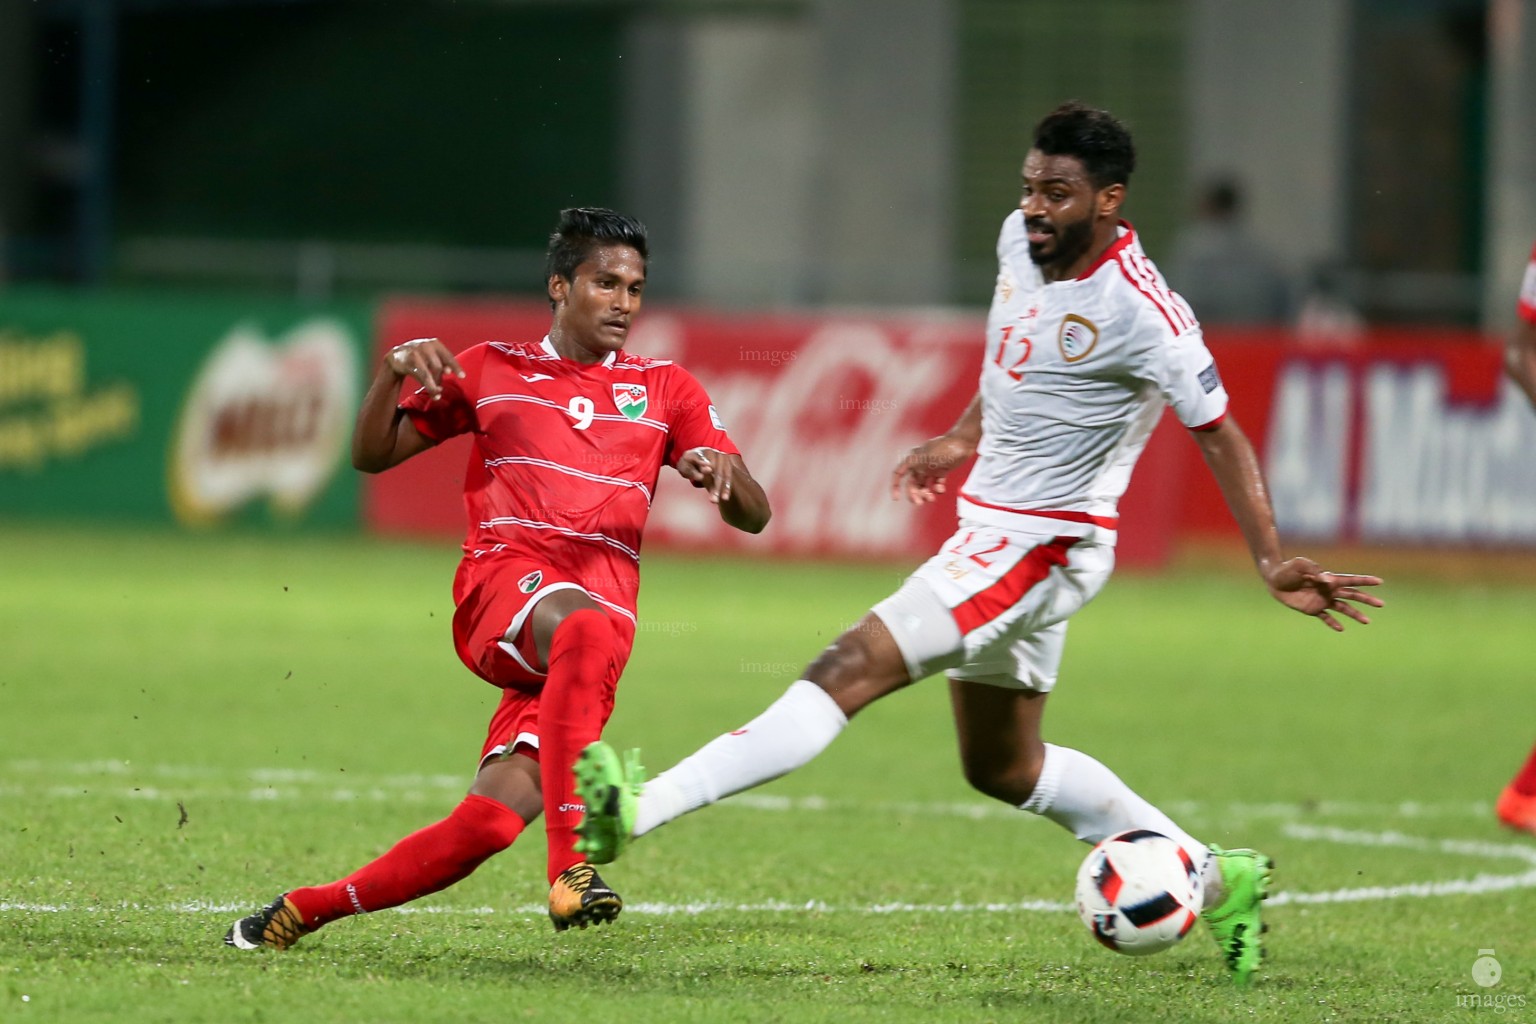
(1480, 885)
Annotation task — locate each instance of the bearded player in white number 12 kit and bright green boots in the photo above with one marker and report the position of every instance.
(1085, 346)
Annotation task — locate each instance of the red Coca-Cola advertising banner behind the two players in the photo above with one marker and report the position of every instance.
(823, 408)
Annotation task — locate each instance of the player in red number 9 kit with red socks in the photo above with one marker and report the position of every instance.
(571, 437)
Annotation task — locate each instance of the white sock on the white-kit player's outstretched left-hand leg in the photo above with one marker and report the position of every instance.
(790, 733)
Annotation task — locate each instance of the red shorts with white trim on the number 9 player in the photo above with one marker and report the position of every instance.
(495, 598)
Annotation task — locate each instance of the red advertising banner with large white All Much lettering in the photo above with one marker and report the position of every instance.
(1409, 440)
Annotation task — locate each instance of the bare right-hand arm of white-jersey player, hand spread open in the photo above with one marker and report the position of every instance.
(1299, 584)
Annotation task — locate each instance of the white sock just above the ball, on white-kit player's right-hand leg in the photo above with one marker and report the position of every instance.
(1090, 802)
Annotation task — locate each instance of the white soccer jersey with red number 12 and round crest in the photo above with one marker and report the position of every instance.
(1074, 380)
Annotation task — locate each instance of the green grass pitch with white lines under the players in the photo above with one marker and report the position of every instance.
(193, 725)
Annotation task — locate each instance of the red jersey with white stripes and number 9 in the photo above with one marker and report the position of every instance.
(566, 457)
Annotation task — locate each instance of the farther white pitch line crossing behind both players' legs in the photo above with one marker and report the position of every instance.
(62, 781)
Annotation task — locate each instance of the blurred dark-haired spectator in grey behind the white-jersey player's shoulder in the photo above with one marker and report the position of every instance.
(1225, 274)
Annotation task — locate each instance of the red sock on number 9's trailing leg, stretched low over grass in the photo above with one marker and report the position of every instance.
(422, 864)
